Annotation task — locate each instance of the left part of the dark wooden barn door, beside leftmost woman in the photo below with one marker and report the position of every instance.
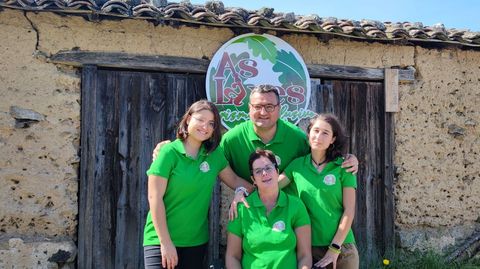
(124, 114)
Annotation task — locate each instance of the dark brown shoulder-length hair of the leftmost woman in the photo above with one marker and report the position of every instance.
(182, 131)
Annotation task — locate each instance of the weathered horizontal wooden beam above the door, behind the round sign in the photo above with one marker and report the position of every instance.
(192, 65)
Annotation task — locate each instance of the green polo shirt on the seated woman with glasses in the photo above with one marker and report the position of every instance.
(269, 241)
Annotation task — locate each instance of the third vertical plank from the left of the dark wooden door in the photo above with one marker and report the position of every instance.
(127, 194)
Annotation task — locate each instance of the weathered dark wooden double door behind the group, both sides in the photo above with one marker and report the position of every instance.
(125, 113)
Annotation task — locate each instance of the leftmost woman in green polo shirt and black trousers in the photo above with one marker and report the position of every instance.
(180, 185)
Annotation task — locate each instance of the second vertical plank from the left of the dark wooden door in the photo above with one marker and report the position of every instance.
(103, 180)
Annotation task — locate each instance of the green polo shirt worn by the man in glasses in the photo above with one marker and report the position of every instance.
(288, 143)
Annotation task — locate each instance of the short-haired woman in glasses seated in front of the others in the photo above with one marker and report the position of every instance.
(275, 231)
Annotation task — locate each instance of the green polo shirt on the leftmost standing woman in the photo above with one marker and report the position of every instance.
(188, 193)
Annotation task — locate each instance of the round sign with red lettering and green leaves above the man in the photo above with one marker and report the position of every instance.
(250, 60)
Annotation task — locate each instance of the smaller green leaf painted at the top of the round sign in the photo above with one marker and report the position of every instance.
(260, 46)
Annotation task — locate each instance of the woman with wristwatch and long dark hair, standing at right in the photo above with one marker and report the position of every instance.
(328, 192)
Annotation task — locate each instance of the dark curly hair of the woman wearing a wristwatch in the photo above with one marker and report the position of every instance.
(338, 147)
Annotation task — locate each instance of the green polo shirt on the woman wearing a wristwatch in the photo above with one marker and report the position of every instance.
(322, 194)
